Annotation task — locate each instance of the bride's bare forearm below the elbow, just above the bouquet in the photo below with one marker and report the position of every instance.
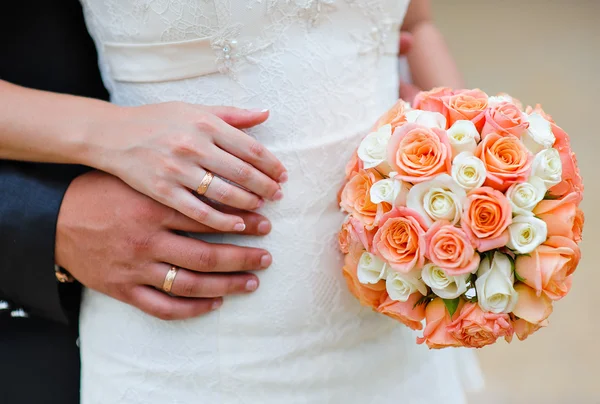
(430, 61)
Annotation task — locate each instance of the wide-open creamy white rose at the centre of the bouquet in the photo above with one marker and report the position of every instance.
(438, 199)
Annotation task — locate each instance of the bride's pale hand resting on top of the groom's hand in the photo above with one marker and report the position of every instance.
(164, 151)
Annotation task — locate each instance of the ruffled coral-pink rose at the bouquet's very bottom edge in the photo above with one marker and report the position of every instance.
(474, 328)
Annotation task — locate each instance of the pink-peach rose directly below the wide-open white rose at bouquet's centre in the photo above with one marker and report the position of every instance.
(449, 248)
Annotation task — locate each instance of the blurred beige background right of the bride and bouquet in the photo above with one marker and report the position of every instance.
(548, 52)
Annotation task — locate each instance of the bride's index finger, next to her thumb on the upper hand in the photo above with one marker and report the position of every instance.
(250, 150)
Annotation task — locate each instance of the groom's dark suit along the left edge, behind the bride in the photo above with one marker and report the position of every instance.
(44, 45)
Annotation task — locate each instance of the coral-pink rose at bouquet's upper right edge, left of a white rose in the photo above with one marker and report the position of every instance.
(504, 119)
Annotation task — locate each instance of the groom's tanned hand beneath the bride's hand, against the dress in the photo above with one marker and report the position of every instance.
(122, 243)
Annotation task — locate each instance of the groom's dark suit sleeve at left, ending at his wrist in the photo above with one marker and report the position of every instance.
(29, 206)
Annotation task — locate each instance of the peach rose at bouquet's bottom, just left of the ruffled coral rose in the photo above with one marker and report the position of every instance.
(438, 319)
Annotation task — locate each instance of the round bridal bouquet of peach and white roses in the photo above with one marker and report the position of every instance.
(463, 211)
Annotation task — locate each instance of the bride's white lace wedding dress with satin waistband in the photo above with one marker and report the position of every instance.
(326, 69)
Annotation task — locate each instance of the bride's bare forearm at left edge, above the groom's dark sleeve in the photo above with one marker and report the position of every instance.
(40, 126)
